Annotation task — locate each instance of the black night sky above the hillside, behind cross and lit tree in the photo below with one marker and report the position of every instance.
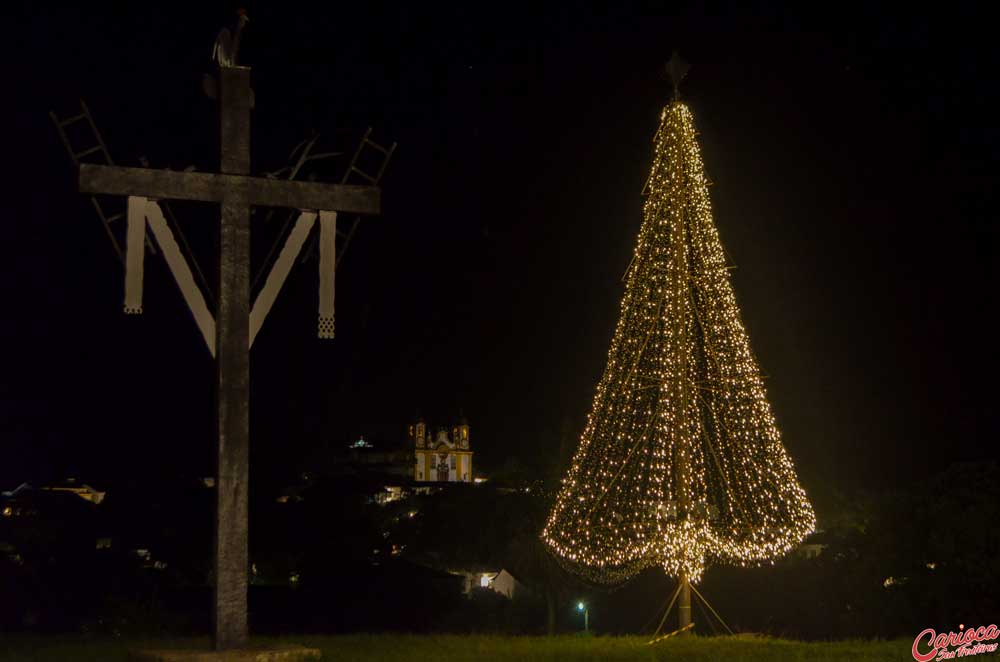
(854, 157)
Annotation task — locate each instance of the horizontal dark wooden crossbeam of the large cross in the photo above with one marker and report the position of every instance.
(213, 187)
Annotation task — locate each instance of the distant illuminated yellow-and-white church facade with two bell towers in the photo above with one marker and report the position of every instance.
(441, 457)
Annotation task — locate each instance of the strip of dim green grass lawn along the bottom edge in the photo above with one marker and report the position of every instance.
(417, 648)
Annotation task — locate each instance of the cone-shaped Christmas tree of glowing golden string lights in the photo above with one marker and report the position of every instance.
(680, 462)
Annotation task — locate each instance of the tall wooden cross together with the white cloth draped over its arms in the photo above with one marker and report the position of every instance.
(231, 331)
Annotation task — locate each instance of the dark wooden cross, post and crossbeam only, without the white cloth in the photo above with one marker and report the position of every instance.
(237, 192)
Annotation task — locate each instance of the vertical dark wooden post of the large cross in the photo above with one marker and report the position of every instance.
(233, 368)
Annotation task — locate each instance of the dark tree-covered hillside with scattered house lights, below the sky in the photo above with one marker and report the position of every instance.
(336, 561)
